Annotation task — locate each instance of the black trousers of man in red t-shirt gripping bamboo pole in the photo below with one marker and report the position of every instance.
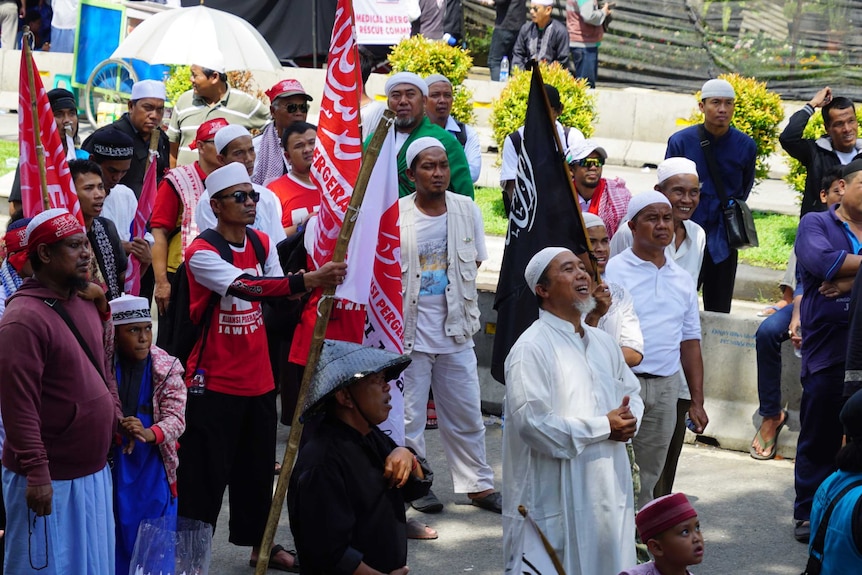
(229, 442)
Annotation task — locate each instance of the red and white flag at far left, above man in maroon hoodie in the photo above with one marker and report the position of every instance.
(61, 188)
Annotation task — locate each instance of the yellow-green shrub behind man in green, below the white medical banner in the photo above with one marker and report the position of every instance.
(424, 57)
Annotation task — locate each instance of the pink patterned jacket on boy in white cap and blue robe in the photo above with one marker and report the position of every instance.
(169, 409)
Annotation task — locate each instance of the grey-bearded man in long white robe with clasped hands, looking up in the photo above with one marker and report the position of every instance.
(571, 404)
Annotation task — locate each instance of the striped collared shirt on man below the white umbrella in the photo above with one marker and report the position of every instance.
(191, 111)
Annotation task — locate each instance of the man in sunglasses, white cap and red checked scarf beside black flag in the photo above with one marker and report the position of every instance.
(608, 199)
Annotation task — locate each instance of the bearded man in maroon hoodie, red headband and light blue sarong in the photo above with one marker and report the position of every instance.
(60, 408)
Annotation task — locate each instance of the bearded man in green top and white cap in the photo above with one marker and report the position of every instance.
(406, 94)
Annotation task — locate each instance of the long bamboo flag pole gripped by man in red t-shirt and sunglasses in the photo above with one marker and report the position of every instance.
(369, 158)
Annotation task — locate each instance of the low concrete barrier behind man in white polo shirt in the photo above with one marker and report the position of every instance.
(730, 376)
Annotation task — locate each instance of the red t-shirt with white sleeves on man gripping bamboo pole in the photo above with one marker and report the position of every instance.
(236, 356)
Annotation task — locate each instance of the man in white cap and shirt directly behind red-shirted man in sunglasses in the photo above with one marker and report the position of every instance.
(234, 144)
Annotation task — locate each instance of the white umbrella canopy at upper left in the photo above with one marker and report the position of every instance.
(196, 35)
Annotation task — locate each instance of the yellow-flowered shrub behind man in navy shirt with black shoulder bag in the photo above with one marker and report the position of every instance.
(758, 113)
